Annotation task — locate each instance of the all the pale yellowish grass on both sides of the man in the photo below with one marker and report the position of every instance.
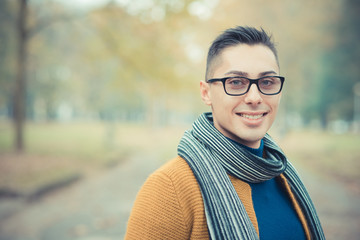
(57, 150)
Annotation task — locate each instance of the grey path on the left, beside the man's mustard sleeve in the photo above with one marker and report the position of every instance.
(94, 208)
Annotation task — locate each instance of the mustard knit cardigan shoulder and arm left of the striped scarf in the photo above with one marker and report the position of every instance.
(166, 205)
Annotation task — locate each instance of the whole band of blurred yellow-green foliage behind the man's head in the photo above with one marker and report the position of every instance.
(136, 59)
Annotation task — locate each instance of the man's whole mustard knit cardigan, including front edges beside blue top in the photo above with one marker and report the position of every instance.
(170, 205)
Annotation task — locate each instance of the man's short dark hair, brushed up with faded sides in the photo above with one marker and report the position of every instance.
(235, 36)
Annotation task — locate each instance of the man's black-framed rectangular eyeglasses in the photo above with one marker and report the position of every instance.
(237, 86)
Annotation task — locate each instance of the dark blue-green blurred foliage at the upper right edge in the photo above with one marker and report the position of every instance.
(335, 96)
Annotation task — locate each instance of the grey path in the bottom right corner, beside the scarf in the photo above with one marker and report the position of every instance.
(337, 207)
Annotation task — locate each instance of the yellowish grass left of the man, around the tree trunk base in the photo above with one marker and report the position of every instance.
(58, 150)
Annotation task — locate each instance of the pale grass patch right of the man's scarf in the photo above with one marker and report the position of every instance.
(326, 153)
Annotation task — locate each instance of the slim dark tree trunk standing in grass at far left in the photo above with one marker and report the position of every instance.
(20, 86)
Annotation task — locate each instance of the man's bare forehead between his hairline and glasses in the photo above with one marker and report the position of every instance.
(250, 59)
